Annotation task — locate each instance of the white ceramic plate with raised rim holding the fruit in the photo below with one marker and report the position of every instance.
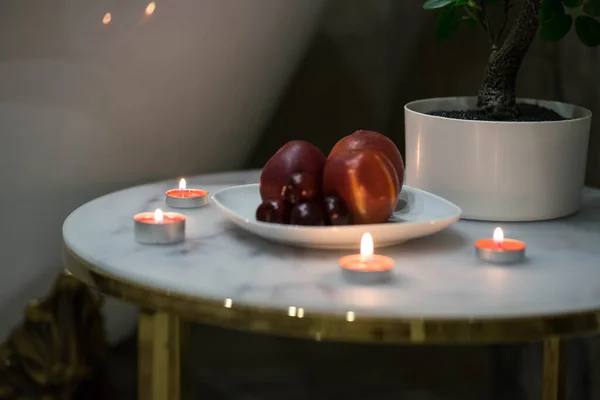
(418, 214)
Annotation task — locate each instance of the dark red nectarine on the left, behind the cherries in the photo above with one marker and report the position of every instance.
(295, 156)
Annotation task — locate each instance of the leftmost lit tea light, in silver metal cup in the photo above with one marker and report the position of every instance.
(159, 228)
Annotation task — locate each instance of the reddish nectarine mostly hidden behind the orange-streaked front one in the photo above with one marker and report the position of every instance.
(363, 140)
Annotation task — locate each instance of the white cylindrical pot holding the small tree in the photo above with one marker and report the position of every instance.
(498, 171)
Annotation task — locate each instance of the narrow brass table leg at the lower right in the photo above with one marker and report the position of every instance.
(554, 376)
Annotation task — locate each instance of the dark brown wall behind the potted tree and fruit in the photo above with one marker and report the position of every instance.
(369, 58)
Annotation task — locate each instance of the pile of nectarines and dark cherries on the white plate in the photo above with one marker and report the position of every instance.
(358, 183)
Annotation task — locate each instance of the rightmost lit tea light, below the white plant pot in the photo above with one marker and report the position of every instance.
(500, 250)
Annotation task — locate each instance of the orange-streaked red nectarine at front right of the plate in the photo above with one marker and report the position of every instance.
(366, 181)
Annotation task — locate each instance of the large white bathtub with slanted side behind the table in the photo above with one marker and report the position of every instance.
(98, 95)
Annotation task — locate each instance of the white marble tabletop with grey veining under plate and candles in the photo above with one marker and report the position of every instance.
(435, 277)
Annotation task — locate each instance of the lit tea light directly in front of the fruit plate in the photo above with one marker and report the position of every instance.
(367, 267)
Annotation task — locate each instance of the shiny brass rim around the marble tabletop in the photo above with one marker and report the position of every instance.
(332, 327)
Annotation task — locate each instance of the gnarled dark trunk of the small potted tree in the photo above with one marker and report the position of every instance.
(497, 92)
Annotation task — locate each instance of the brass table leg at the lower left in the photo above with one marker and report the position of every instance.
(161, 338)
